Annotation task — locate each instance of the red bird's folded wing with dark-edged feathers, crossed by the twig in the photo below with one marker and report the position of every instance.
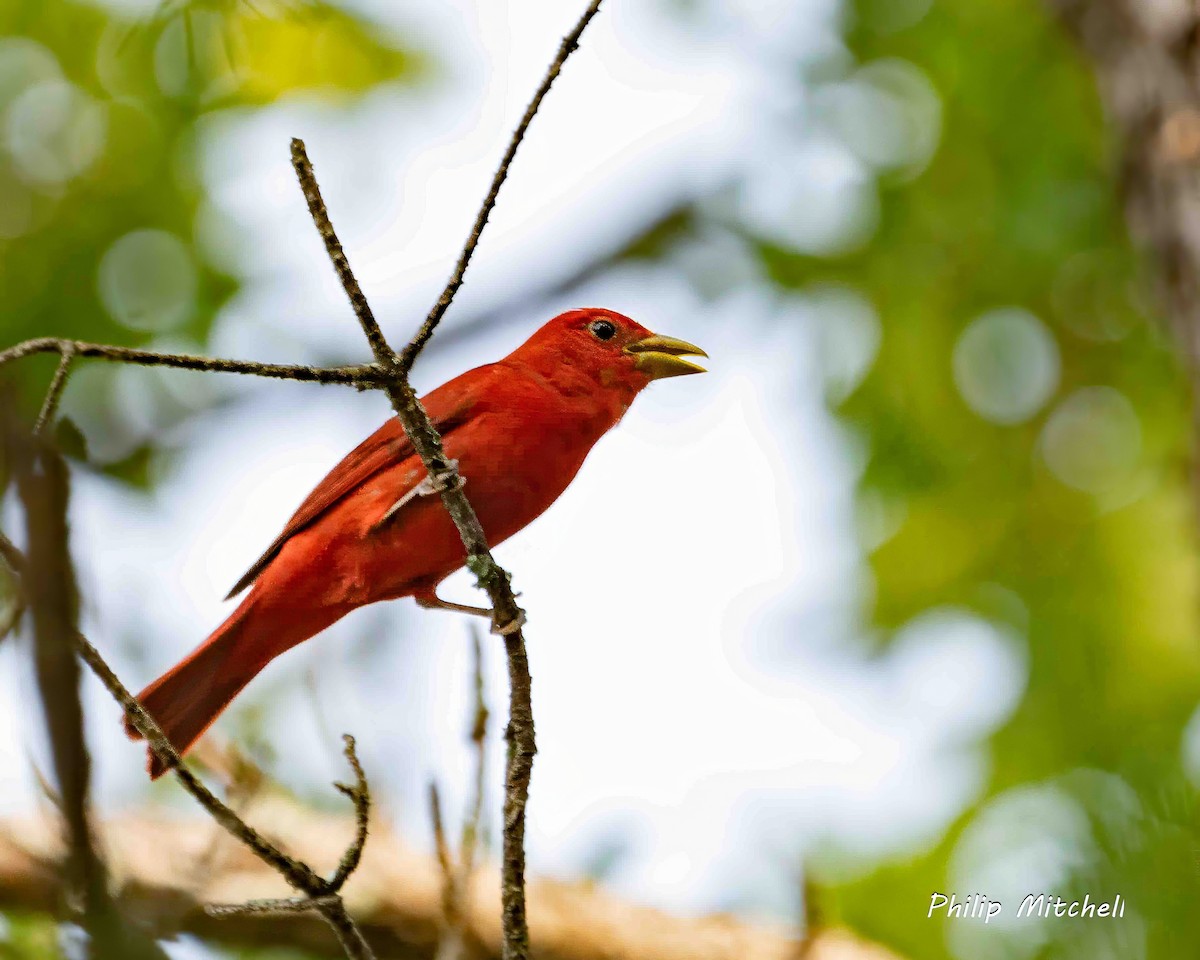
(449, 406)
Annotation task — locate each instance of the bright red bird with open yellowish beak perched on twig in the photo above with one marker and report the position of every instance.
(520, 430)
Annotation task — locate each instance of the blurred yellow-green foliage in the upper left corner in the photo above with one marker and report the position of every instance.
(101, 195)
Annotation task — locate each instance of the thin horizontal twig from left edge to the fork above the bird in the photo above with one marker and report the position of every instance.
(362, 376)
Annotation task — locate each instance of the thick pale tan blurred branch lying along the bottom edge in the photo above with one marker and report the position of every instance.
(395, 897)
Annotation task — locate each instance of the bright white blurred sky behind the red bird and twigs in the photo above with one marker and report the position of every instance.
(699, 691)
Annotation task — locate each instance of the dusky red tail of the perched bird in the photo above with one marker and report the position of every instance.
(187, 699)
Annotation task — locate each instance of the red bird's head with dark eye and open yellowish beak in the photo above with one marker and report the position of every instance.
(611, 349)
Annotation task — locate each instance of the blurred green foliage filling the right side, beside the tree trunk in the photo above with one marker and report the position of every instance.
(1027, 428)
